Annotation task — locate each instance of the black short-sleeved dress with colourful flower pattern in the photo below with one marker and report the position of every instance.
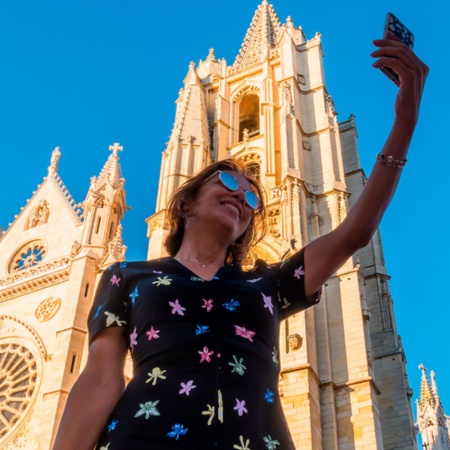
(205, 354)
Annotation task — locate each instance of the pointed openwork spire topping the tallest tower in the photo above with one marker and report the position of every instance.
(261, 37)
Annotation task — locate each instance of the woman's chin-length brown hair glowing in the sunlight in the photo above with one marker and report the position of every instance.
(177, 214)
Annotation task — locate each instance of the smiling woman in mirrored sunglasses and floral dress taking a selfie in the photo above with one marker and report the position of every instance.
(203, 333)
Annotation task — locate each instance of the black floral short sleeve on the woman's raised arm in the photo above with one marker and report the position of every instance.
(291, 286)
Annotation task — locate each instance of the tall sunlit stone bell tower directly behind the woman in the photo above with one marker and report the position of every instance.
(343, 378)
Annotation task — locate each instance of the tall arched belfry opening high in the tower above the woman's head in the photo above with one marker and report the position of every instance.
(246, 113)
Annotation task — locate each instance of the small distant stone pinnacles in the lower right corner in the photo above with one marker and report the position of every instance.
(434, 425)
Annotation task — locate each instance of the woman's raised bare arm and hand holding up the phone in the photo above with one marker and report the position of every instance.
(326, 254)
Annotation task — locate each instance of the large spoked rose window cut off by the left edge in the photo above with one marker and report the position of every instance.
(18, 373)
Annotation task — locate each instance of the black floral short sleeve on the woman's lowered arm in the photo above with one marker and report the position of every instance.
(110, 307)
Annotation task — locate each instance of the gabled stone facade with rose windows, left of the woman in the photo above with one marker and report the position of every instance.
(51, 257)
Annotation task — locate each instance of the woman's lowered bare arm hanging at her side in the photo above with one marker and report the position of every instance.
(94, 394)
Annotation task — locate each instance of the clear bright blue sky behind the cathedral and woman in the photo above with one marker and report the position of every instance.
(82, 75)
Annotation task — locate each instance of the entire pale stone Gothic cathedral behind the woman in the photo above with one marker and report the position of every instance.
(343, 380)
